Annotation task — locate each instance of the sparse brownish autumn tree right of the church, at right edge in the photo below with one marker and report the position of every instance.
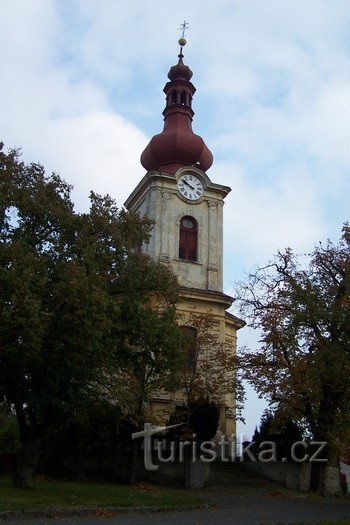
(302, 366)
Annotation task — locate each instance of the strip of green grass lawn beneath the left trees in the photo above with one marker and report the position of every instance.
(75, 494)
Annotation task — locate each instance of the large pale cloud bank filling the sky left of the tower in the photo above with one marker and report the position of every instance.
(58, 120)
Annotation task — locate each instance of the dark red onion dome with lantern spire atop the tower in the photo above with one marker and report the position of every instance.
(177, 146)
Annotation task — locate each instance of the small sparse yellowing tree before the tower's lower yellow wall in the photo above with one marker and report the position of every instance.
(209, 381)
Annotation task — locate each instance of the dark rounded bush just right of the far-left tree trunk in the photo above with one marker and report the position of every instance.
(95, 444)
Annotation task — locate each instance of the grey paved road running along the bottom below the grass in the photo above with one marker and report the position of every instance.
(260, 507)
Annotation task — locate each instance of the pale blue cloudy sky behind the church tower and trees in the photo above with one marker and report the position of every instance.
(81, 92)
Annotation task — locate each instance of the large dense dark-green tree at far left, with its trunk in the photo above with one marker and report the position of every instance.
(62, 277)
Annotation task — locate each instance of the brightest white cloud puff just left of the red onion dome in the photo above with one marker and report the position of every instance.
(96, 151)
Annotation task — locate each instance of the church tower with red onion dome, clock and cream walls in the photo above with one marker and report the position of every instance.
(187, 209)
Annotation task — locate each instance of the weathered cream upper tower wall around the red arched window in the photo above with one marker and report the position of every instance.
(160, 201)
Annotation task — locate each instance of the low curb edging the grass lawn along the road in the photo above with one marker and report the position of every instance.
(101, 512)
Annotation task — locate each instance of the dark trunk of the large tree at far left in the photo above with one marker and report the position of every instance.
(26, 461)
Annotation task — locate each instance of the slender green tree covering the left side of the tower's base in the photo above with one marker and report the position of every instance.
(149, 343)
